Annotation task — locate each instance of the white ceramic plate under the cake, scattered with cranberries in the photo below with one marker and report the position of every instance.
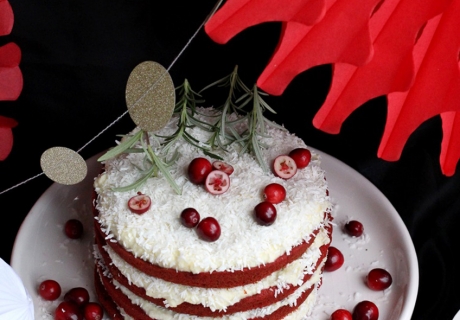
(42, 250)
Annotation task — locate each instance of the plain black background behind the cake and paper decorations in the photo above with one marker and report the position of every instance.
(77, 57)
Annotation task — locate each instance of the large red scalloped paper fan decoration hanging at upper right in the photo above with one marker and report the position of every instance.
(405, 49)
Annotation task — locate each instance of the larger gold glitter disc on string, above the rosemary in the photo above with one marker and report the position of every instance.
(150, 96)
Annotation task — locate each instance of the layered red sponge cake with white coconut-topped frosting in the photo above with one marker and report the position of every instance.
(151, 265)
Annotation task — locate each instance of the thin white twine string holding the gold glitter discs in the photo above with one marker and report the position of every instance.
(214, 9)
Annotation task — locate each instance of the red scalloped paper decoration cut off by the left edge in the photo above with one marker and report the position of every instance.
(11, 81)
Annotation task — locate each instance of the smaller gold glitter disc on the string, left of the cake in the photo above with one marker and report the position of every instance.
(63, 165)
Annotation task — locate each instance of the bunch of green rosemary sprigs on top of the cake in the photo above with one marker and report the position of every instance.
(223, 130)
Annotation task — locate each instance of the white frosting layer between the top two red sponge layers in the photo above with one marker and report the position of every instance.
(220, 299)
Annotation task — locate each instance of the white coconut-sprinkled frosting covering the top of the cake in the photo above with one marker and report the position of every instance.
(157, 236)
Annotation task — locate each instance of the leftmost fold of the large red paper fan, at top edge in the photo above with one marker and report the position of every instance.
(237, 15)
